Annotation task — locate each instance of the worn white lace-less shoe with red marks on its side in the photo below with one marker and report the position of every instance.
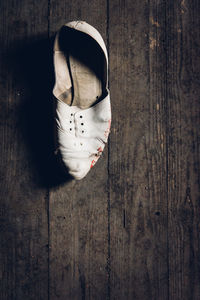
(83, 110)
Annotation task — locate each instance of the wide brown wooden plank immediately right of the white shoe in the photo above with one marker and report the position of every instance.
(137, 151)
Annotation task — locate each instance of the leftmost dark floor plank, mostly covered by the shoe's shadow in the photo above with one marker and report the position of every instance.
(24, 234)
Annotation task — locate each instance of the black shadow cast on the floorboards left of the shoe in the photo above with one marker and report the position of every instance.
(31, 64)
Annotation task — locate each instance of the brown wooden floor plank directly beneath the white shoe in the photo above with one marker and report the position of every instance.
(78, 210)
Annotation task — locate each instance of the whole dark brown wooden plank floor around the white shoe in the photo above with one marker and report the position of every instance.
(131, 228)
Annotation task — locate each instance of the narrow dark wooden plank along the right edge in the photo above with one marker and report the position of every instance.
(183, 113)
